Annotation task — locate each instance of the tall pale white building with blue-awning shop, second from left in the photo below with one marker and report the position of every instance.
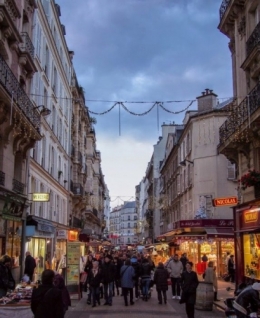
(50, 159)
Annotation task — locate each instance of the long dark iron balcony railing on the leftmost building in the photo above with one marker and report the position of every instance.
(13, 88)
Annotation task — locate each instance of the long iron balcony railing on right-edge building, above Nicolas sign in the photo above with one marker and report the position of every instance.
(240, 114)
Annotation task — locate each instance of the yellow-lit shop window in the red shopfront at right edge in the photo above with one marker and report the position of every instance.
(252, 255)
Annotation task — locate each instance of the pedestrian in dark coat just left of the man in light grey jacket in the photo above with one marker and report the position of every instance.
(161, 281)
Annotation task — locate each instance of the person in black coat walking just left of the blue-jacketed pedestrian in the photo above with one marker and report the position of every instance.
(108, 272)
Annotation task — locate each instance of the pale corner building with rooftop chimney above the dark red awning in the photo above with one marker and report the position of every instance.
(192, 175)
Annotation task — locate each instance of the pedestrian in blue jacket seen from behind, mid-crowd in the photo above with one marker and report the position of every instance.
(127, 274)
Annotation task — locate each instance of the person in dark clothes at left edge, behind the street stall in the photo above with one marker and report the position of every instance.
(6, 278)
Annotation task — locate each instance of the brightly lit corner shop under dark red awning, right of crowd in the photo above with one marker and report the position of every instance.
(205, 236)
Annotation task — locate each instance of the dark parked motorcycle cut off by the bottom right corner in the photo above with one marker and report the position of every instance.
(247, 301)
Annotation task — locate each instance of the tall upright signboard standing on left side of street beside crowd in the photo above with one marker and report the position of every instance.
(73, 260)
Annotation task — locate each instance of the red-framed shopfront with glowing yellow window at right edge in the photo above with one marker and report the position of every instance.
(247, 241)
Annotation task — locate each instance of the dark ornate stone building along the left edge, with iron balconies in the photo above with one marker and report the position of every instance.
(20, 124)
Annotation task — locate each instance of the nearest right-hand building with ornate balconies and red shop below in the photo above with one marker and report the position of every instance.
(239, 134)
